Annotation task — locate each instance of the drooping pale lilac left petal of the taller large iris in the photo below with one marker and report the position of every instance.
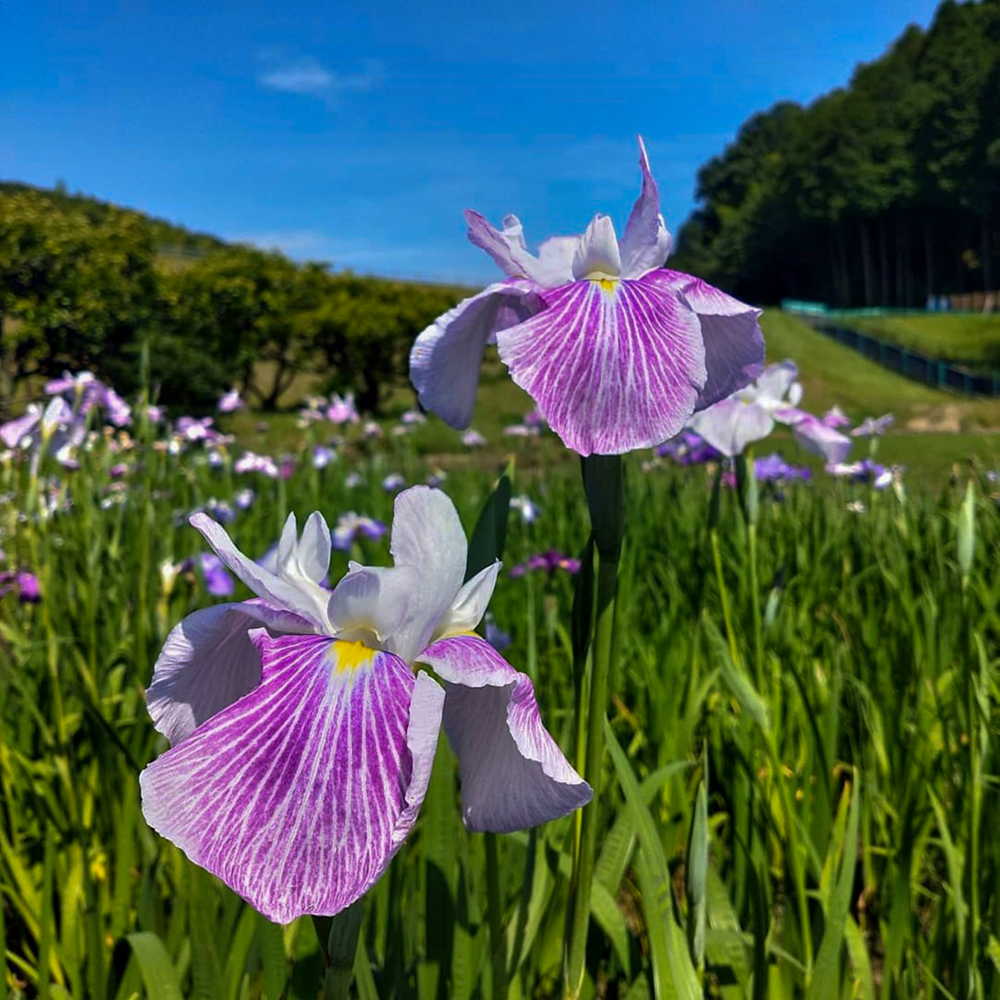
(446, 357)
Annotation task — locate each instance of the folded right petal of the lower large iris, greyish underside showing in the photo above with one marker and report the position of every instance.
(513, 773)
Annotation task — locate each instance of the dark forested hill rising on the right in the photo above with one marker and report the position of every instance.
(878, 193)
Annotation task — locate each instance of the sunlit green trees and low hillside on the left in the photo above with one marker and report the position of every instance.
(138, 301)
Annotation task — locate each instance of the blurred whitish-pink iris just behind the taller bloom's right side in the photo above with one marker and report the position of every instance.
(750, 413)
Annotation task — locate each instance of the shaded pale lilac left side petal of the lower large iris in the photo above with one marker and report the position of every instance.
(208, 662)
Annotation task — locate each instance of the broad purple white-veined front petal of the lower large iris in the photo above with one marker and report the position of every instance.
(298, 795)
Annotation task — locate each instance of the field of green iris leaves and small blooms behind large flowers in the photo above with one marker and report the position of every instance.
(800, 790)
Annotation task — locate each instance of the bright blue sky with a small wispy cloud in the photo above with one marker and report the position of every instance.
(357, 133)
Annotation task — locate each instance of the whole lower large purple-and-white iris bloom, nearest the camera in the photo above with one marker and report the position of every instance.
(303, 733)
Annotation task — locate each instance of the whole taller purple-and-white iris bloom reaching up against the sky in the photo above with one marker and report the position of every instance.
(616, 351)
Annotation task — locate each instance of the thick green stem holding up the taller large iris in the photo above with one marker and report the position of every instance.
(602, 476)
